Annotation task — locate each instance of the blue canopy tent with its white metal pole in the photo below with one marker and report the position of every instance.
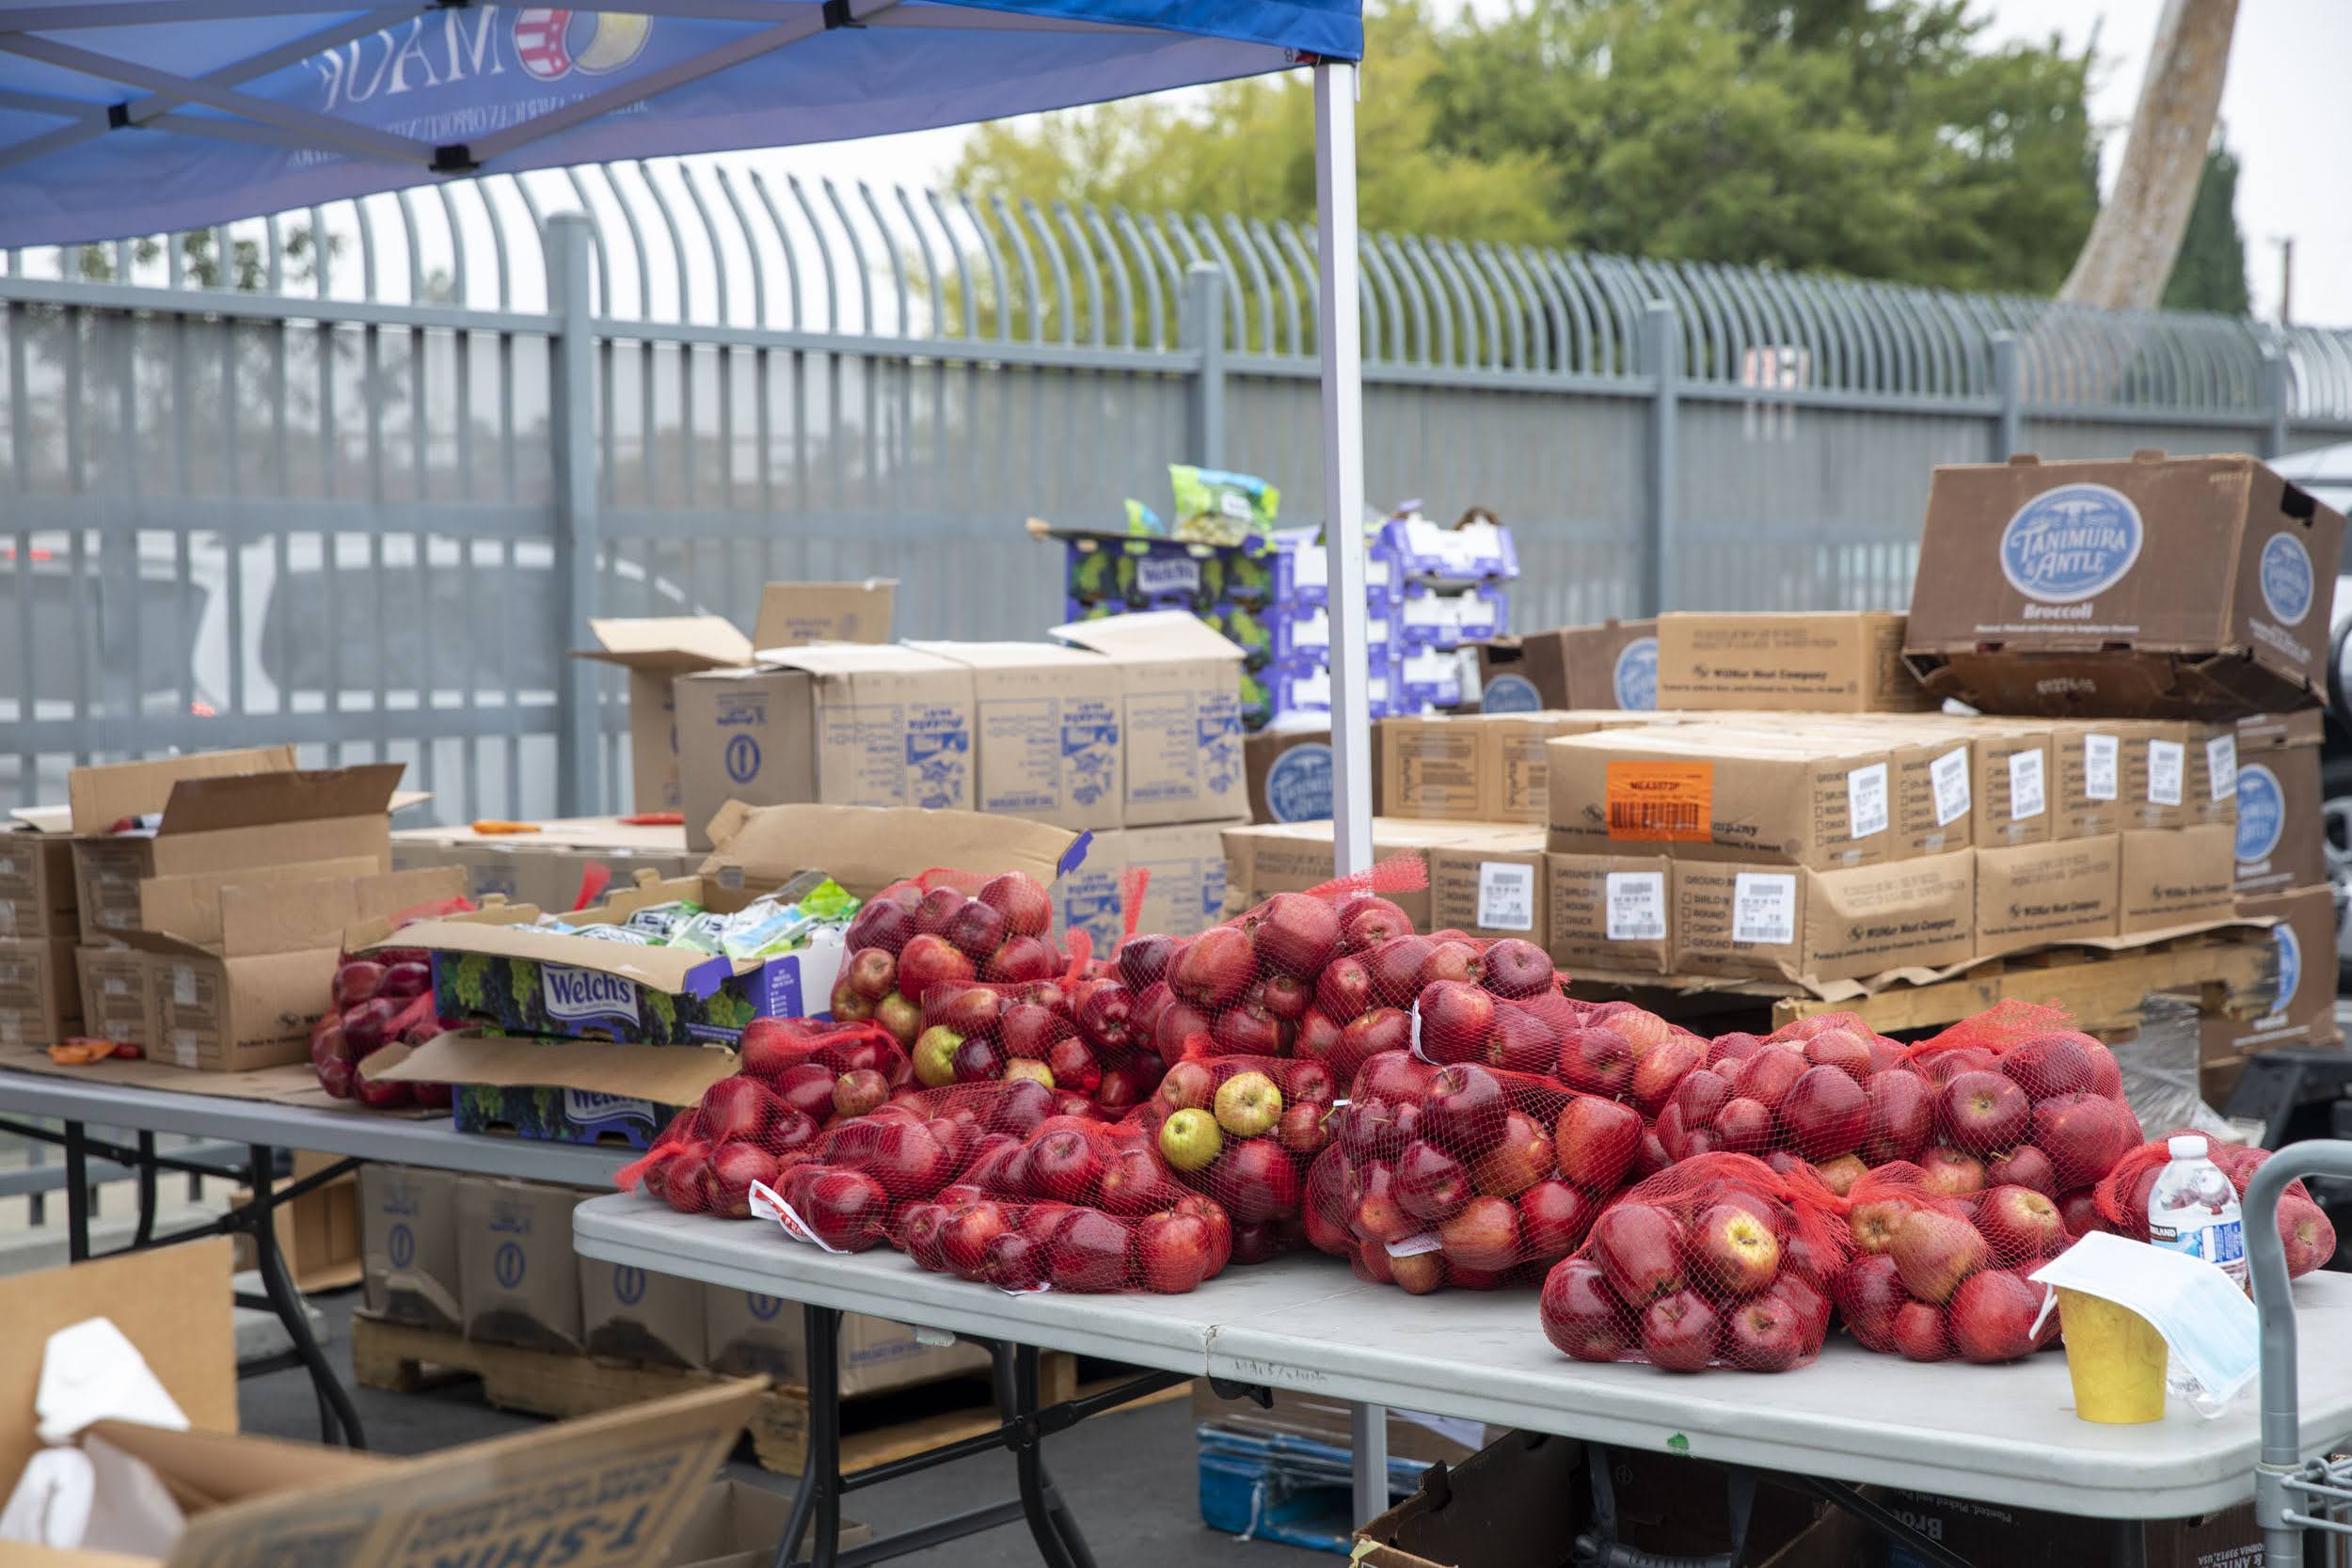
(138, 116)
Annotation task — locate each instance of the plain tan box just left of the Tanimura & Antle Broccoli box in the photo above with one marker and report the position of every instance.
(1810, 662)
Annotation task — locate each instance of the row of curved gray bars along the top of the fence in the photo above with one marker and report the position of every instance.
(911, 267)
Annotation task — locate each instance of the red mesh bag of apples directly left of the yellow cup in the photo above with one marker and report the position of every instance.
(1935, 1275)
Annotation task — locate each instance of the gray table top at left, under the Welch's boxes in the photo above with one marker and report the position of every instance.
(293, 1127)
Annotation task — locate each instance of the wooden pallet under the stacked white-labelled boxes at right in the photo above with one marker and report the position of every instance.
(2226, 972)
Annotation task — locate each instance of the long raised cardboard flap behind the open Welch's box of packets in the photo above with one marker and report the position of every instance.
(869, 847)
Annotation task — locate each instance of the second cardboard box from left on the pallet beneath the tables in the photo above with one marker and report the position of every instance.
(516, 1275)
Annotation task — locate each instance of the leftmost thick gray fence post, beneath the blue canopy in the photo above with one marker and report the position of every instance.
(580, 775)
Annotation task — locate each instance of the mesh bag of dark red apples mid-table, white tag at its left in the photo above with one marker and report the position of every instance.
(1464, 1177)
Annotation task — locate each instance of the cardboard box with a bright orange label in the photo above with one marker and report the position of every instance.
(1706, 793)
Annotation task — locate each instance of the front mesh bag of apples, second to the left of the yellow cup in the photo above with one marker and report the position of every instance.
(1718, 1261)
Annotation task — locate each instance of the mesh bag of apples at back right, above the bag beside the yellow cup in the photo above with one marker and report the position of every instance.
(2024, 1101)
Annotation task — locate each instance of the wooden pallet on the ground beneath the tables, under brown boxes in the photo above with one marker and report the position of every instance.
(876, 1430)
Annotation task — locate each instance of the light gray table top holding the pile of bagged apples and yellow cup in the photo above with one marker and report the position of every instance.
(1989, 1433)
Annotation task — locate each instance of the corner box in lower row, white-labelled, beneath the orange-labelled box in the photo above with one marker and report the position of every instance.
(1800, 925)
